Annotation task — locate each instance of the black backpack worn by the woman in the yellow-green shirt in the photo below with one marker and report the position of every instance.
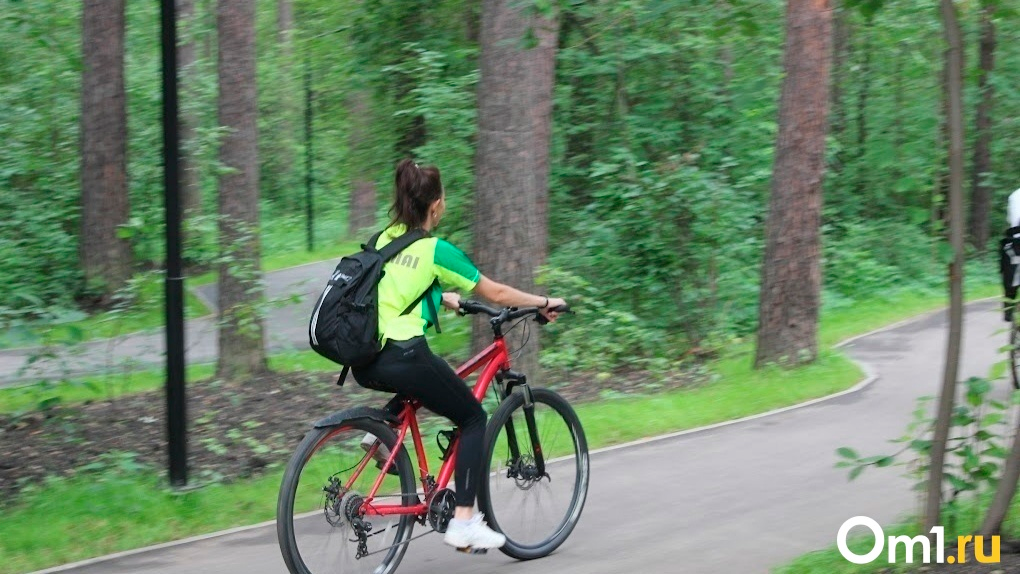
(344, 327)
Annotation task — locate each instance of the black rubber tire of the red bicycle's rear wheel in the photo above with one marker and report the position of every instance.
(288, 490)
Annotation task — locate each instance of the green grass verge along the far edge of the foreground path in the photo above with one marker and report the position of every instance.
(111, 511)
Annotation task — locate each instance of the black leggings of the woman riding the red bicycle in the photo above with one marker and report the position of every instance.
(411, 370)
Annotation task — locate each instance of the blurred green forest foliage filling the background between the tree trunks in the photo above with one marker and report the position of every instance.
(665, 126)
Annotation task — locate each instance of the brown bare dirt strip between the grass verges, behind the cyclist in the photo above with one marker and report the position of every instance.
(235, 431)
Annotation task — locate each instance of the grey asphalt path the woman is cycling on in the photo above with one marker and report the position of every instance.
(739, 498)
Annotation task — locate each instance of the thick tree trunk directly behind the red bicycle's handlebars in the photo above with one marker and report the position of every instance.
(516, 101)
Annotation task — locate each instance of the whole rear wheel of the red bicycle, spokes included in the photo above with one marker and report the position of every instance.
(319, 526)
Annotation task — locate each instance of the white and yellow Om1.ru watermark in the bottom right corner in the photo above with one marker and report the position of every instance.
(908, 546)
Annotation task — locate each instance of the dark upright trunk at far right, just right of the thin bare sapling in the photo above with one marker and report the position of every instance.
(981, 192)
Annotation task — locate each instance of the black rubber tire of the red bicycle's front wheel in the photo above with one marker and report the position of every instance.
(493, 432)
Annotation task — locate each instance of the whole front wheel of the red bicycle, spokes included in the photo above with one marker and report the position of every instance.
(536, 509)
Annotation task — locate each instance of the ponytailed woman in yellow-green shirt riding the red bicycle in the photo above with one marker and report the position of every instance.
(406, 366)
